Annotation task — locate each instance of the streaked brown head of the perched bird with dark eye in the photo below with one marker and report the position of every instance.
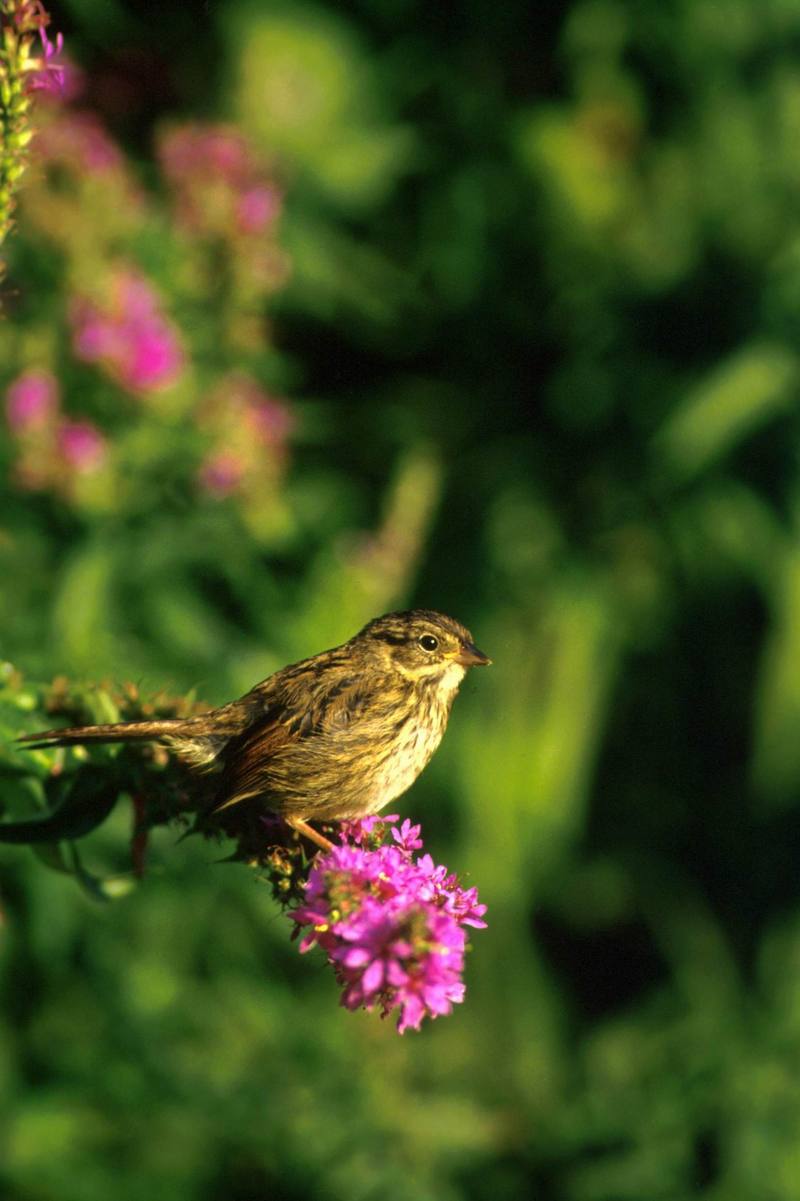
(422, 644)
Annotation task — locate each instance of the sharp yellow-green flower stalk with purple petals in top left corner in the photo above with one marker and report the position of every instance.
(27, 65)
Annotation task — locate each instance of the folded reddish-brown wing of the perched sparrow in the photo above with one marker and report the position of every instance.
(295, 707)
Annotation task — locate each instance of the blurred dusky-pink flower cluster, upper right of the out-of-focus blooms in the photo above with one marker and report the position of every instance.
(220, 186)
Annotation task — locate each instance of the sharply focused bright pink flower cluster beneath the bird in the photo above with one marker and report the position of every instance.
(391, 923)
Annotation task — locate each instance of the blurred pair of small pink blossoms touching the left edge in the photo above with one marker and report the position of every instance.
(52, 447)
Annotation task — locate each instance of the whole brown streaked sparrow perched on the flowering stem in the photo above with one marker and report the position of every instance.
(337, 737)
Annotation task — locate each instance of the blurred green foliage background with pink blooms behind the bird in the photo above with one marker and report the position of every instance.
(319, 310)
